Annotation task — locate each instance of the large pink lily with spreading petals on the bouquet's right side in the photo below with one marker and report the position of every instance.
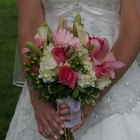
(104, 61)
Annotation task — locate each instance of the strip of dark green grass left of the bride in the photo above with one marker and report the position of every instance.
(8, 39)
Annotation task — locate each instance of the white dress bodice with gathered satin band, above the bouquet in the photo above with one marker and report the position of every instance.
(100, 17)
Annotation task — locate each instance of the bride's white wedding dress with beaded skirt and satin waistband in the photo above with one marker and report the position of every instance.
(117, 116)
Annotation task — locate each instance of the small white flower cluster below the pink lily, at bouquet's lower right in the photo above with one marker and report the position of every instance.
(103, 82)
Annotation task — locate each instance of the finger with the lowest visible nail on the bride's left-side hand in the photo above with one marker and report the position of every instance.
(48, 128)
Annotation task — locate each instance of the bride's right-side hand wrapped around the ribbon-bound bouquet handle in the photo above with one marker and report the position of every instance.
(65, 114)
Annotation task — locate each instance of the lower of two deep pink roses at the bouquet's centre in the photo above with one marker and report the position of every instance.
(67, 76)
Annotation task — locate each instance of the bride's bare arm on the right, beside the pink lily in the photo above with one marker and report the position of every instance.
(127, 46)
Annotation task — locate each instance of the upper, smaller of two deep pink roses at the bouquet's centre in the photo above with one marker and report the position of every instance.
(59, 56)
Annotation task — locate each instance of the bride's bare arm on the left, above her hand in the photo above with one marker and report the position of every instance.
(29, 20)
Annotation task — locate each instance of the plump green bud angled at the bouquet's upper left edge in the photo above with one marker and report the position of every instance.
(34, 48)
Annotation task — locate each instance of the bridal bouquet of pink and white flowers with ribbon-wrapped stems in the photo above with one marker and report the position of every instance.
(69, 65)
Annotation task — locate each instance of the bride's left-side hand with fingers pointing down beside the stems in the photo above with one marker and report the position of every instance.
(49, 123)
